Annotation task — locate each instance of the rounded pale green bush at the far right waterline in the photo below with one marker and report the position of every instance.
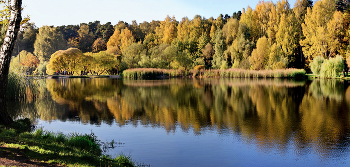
(332, 67)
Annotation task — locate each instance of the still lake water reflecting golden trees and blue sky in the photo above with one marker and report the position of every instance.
(210, 122)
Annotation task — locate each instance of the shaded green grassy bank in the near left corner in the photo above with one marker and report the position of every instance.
(17, 141)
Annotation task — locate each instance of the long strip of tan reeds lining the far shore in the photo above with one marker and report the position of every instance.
(144, 73)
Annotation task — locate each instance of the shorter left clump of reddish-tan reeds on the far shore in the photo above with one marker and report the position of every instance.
(151, 73)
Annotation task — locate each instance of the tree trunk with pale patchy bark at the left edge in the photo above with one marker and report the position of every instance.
(5, 56)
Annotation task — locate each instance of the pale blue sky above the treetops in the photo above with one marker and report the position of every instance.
(74, 12)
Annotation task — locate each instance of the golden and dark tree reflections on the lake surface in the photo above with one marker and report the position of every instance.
(270, 113)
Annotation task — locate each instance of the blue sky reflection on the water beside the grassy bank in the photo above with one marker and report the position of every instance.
(155, 146)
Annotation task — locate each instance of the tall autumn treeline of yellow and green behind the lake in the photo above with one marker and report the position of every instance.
(270, 36)
